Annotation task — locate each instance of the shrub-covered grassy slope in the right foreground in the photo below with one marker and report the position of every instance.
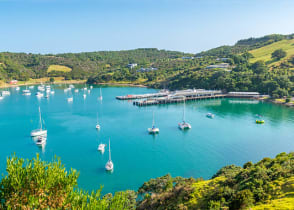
(267, 183)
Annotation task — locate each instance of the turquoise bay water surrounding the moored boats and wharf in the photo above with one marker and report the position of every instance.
(232, 137)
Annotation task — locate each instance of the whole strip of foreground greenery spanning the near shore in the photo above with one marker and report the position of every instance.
(268, 184)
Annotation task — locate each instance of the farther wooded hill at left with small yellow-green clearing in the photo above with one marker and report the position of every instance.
(22, 66)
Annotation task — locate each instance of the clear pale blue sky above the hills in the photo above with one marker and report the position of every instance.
(57, 26)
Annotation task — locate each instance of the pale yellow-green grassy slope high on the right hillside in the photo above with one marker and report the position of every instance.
(264, 53)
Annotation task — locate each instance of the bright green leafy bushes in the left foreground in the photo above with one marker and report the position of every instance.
(35, 184)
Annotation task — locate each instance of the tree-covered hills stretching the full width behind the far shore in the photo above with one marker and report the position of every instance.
(166, 69)
